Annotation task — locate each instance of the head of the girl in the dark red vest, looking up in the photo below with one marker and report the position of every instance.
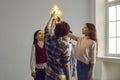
(38, 36)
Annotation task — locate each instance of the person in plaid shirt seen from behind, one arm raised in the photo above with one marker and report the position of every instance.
(58, 66)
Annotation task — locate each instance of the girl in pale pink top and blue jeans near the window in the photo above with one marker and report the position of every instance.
(86, 51)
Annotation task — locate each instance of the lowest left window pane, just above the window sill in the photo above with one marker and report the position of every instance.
(112, 45)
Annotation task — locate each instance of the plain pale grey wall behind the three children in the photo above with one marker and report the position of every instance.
(18, 21)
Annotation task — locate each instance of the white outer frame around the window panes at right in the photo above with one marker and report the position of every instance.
(108, 4)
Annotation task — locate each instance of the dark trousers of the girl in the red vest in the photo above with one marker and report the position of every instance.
(40, 74)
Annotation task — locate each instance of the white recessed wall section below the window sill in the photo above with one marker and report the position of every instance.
(108, 68)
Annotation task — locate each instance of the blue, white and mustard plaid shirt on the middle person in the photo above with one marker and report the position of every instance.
(58, 54)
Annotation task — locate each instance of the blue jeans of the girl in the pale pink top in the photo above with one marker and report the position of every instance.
(83, 70)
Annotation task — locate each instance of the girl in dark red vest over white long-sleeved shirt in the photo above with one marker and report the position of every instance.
(38, 56)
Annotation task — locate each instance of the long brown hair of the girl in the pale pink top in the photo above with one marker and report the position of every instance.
(92, 33)
